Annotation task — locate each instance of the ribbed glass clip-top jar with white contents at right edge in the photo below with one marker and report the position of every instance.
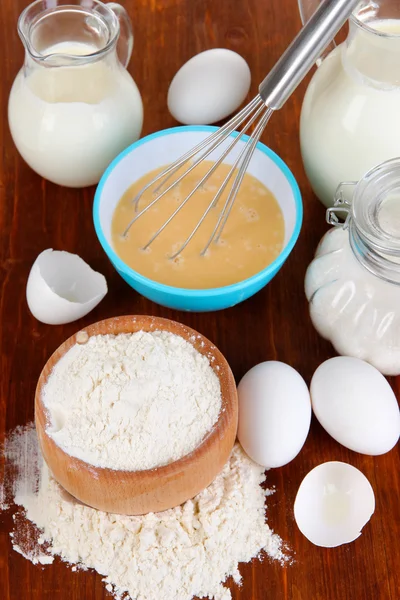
(353, 283)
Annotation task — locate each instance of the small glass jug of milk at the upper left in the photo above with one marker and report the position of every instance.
(73, 106)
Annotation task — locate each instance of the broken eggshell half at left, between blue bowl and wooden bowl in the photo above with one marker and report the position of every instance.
(62, 287)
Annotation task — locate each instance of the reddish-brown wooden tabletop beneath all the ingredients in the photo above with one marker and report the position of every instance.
(273, 325)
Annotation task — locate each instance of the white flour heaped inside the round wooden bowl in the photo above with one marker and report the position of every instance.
(132, 401)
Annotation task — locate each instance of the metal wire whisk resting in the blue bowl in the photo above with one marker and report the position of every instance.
(274, 91)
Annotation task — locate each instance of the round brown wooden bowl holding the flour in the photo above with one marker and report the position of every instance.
(153, 490)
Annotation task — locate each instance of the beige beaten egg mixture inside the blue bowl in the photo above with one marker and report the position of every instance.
(252, 237)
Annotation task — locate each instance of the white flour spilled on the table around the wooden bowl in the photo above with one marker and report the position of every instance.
(178, 554)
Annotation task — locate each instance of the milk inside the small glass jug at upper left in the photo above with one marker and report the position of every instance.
(70, 122)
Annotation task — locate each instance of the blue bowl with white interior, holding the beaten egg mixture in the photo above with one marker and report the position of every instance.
(162, 148)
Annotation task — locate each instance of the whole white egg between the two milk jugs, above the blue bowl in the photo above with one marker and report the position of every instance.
(209, 87)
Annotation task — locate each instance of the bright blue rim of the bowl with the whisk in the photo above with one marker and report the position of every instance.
(198, 292)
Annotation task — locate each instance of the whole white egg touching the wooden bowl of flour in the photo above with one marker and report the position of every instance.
(274, 413)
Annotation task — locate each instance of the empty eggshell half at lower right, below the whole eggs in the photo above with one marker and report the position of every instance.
(334, 502)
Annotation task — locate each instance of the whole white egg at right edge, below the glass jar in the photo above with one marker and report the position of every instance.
(356, 405)
